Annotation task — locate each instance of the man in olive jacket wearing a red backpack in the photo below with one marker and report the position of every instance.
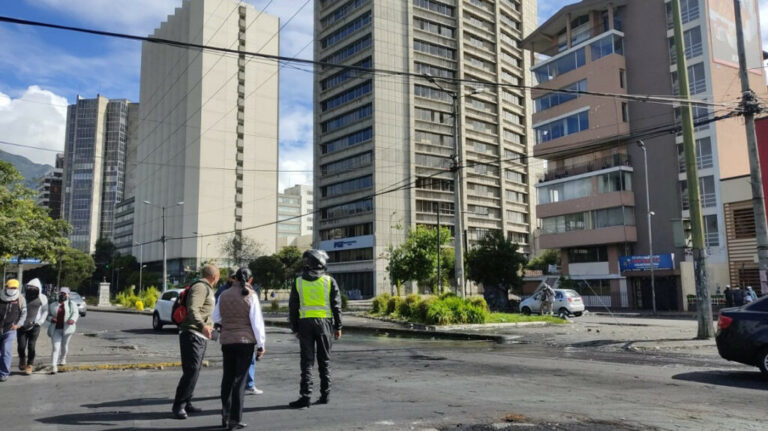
(194, 332)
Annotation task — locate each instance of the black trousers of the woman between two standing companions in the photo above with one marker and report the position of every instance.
(237, 360)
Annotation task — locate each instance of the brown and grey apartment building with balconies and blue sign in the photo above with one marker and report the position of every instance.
(591, 201)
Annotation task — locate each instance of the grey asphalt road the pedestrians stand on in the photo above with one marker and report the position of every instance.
(384, 383)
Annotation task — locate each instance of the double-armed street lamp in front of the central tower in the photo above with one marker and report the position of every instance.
(457, 179)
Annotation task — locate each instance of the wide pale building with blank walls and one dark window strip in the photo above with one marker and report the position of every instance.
(208, 134)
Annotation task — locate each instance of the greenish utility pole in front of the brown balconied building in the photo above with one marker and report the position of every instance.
(703, 303)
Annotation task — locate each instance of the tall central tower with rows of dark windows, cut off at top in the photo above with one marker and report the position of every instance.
(378, 132)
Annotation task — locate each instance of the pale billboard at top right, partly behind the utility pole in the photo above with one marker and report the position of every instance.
(722, 23)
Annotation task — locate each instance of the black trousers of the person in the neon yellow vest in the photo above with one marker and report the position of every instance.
(315, 335)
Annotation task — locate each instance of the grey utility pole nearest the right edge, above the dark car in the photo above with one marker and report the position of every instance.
(750, 107)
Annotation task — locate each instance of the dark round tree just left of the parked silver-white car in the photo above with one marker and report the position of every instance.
(497, 264)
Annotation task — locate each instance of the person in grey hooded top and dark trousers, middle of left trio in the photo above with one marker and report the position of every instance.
(37, 312)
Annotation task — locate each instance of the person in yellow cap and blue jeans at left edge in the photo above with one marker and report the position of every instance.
(13, 312)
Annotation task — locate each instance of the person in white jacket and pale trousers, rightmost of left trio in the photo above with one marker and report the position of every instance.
(63, 323)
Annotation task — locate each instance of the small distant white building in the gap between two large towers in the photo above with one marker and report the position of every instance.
(293, 205)
